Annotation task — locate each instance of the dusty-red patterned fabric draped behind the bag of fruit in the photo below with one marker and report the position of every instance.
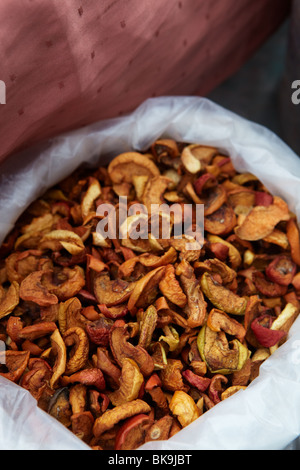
(70, 63)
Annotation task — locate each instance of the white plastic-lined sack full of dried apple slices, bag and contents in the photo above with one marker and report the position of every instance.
(124, 342)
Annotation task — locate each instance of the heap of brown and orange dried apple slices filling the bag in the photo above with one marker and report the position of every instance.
(129, 340)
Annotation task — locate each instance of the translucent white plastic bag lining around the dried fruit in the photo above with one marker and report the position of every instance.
(264, 416)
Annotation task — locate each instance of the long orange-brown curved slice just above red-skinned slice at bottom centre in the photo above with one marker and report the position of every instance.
(119, 413)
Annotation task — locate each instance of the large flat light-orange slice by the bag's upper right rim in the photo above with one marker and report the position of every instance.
(261, 220)
